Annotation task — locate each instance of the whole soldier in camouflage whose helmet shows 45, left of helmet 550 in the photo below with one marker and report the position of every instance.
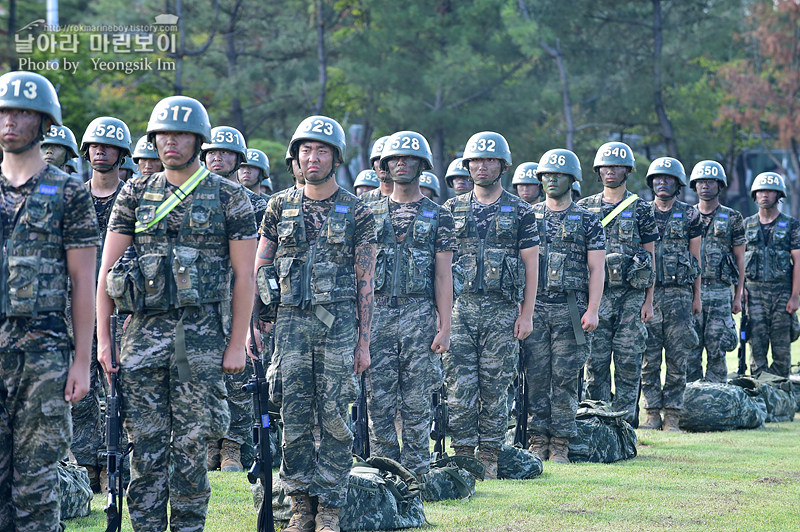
(676, 297)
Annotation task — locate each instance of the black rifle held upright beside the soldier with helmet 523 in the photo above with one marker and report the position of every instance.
(262, 464)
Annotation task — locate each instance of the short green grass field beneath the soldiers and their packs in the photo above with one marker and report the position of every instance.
(728, 481)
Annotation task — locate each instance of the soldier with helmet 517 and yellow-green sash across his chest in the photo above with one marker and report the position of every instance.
(191, 230)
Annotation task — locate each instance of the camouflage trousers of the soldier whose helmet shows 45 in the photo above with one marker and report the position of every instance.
(671, 332)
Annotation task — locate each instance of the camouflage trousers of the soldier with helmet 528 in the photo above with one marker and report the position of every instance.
(402, 377)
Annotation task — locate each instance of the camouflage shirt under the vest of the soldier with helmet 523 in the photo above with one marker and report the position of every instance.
(314, 214)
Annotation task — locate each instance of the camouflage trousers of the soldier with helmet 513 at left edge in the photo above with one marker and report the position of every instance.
(35, 433)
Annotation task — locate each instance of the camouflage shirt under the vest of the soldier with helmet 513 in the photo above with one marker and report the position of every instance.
(79, 230)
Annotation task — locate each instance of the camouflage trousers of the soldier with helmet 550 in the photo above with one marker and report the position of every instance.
(716, 332)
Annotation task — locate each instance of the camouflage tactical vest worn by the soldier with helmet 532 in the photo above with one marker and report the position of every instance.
(491, 264)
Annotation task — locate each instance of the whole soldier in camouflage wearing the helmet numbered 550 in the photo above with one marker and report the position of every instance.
(722, 265)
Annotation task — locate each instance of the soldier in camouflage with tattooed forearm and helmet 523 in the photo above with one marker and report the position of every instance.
(318, 246)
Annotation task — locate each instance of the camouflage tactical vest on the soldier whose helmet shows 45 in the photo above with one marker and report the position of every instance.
(675, 265)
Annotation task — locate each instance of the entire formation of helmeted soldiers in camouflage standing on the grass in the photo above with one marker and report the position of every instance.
(413, 293)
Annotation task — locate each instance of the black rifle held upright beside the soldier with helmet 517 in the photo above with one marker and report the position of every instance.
(114, 456)
